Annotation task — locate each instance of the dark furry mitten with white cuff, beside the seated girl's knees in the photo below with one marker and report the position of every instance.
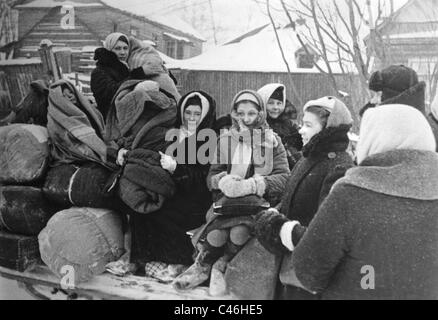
(267, 228)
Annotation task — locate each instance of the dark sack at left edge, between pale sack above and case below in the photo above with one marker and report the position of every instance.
(24, 210)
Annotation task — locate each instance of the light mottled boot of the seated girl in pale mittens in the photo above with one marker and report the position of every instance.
(199, 271)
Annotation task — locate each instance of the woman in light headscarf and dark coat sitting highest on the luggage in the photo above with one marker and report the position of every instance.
(111, 70)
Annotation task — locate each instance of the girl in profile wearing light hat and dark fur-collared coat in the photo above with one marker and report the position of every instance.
(326, 123)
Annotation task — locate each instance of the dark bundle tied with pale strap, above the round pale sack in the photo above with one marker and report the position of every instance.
(82, 186)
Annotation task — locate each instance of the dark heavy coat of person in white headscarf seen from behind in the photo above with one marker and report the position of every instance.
(374, 231)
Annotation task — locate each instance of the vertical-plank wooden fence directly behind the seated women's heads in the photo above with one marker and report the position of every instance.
(223, 85)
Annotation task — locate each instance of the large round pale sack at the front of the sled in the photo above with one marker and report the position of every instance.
(82, 240)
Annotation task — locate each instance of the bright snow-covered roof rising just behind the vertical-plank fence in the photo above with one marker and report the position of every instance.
(256, 53)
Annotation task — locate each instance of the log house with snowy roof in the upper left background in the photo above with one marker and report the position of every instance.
(93, 21)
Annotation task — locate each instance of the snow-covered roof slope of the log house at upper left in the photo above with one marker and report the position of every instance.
(155, 12)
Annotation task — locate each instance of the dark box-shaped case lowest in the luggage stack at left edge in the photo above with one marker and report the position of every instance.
(18, 252)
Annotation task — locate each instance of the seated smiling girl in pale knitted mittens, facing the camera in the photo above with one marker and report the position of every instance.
(251, 160)
